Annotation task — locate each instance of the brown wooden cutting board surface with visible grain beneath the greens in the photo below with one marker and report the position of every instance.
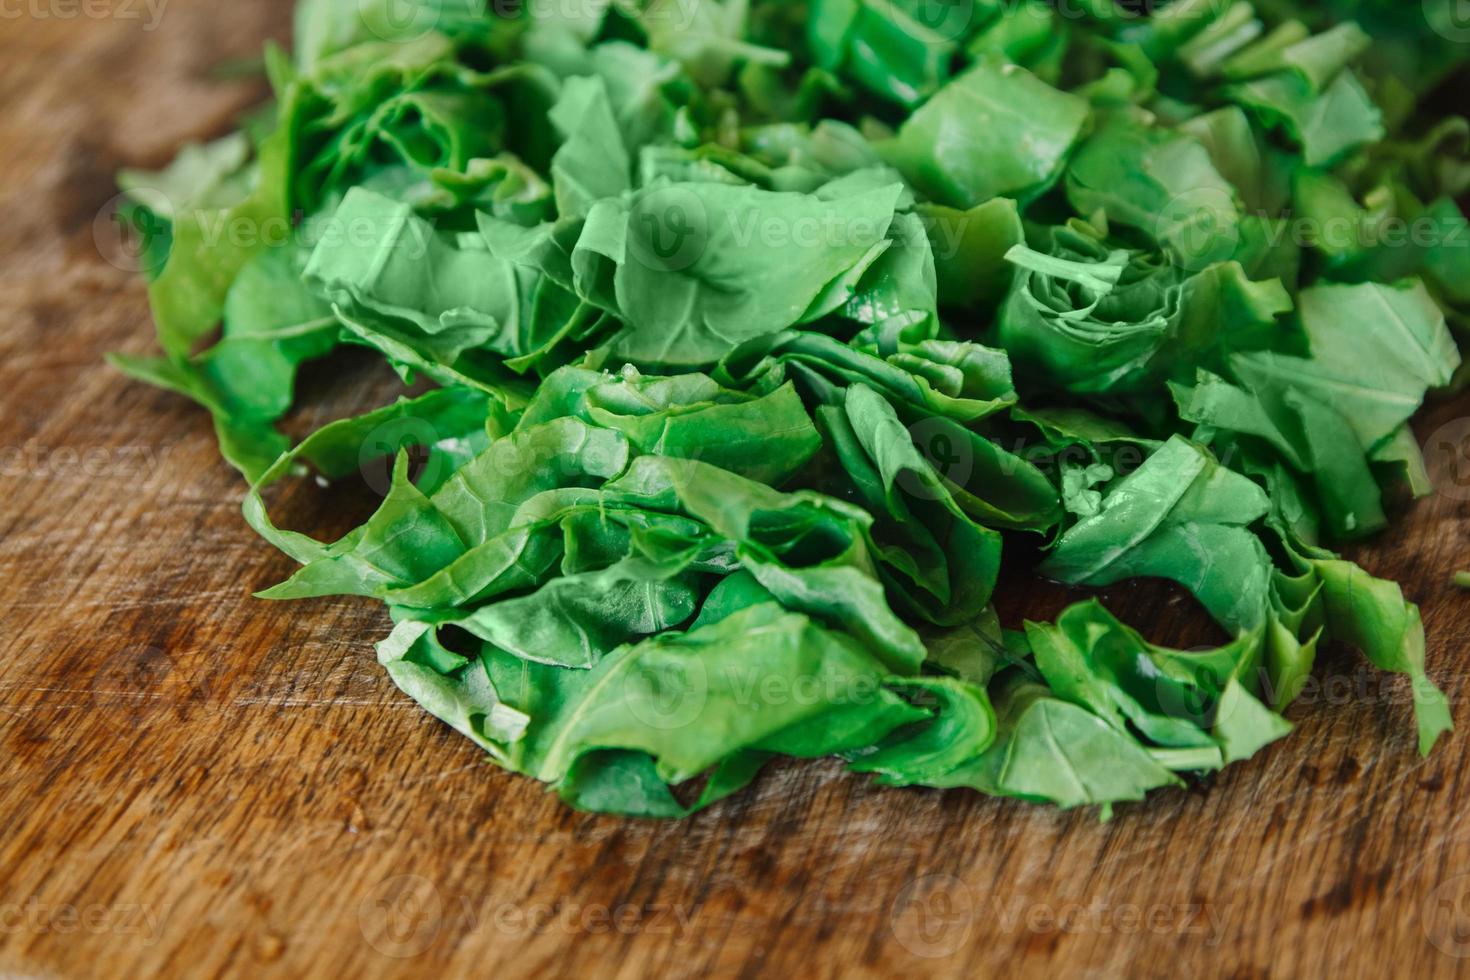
(199, 784)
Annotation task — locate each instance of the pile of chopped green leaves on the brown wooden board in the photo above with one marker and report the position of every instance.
(747, 340)
